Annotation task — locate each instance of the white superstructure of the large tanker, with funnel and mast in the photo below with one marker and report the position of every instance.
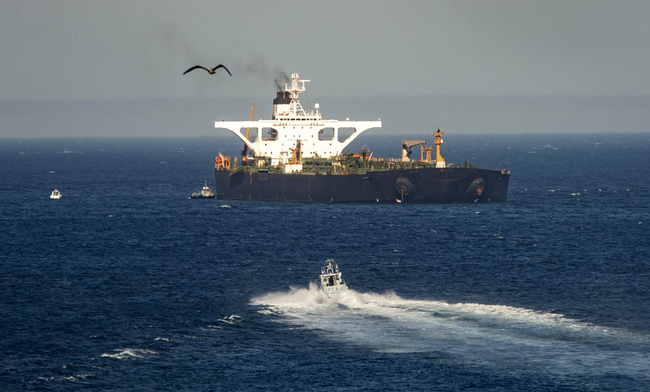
(292, 127)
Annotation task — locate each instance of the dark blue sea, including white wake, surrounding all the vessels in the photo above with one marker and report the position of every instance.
(127, 284)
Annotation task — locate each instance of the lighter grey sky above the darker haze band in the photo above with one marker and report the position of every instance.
(110, 51)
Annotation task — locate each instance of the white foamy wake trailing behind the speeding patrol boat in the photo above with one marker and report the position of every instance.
(486, 335)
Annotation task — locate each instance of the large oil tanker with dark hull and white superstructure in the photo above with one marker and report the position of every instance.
(297, 156)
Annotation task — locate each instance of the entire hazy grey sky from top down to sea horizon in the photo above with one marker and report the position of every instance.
(115, 68)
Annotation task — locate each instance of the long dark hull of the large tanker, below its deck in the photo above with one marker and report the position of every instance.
(449, 185)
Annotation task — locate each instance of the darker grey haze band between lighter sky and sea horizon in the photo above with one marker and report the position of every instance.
(400, 115)
